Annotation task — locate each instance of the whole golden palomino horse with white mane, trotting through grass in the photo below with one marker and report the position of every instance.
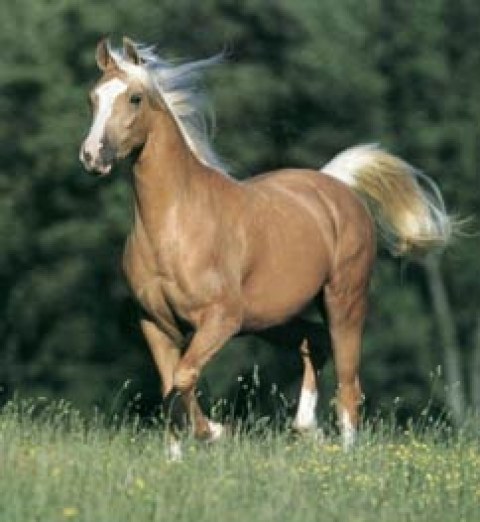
(214, 256)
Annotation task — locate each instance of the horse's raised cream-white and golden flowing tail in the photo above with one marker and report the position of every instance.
(407, 205)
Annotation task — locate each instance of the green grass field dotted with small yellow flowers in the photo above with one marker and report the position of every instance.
(56, 466)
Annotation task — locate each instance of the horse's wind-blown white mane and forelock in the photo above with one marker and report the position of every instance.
(178, 87)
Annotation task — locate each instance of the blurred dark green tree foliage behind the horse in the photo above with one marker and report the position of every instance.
(302, 81)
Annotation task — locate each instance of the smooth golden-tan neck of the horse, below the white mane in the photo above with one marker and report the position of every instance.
(167, 176)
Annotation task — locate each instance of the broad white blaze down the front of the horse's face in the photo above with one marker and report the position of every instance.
(107, 94)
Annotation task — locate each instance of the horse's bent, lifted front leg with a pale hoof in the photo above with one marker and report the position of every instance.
(217, 326)
